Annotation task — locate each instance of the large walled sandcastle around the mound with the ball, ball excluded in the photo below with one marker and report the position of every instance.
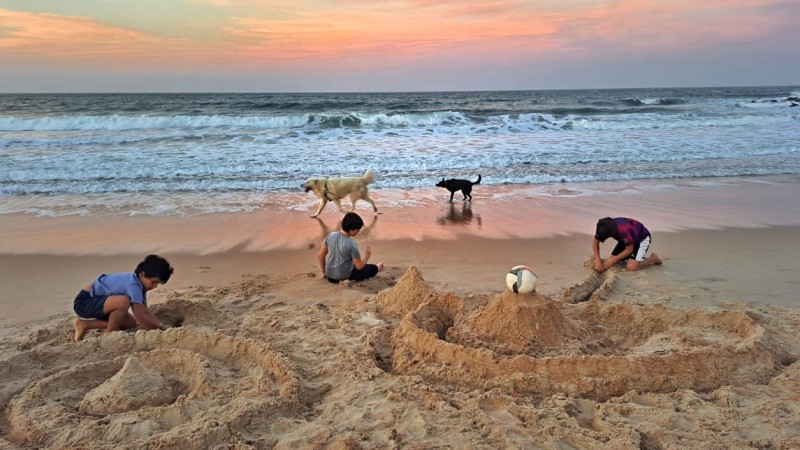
(532, 344)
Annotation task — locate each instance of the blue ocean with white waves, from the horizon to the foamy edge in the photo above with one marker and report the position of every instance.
(190, 154)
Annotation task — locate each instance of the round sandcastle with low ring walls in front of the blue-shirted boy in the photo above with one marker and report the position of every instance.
(178, 388)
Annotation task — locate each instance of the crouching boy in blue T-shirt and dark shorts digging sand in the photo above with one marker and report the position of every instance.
(104, 303)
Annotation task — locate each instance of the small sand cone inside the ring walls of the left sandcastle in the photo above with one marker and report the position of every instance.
(132, 387)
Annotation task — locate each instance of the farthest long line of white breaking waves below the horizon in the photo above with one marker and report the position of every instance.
(560, 119)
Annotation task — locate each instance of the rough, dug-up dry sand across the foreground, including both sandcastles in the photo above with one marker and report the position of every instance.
(394, 362)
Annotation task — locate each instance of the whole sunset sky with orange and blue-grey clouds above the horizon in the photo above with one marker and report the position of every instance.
(394, 45)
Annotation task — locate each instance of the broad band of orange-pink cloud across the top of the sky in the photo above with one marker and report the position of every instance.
(277, 34)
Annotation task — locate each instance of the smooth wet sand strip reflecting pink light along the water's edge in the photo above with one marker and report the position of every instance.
(504, 212)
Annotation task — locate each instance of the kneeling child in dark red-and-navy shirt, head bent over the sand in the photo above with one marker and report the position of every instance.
(633, 240)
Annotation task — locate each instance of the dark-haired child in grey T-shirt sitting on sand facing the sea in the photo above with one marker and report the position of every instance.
(339, 257)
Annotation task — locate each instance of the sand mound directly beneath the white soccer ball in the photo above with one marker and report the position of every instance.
(516, 324)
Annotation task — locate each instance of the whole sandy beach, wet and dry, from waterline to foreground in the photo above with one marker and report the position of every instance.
(432, 353)
